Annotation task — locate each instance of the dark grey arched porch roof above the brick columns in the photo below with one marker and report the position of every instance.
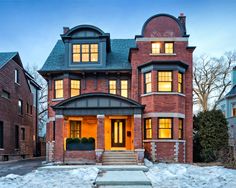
(98, 103)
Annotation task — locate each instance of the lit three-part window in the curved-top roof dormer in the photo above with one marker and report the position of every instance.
(85, 53)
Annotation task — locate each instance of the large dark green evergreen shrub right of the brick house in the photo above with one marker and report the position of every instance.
(210, 136)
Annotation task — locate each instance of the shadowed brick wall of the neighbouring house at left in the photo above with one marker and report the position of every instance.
(10, 117)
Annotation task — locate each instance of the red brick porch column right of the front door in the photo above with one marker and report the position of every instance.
(138, 146)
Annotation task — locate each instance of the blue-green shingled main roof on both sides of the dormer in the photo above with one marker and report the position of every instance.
(117, 59)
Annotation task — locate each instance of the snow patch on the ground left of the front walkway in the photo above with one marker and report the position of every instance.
(81, 177)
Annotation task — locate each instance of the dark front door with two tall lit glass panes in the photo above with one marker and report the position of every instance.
(118, 133)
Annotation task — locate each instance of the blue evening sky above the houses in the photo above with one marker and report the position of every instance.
(32, 27)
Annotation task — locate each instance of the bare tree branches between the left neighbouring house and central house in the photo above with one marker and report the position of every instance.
(42, 96)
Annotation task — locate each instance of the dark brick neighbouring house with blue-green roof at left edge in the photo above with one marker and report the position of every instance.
(18, 109)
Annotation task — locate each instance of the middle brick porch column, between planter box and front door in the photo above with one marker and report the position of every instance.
(100, 138)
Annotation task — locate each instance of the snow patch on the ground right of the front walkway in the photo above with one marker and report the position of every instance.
(189, 176)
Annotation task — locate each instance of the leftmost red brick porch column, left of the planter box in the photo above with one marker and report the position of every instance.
(59, 139)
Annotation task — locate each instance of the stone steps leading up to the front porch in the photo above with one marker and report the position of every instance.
(119, 158)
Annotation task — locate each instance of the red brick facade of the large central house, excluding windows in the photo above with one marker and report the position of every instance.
(175, 105)
